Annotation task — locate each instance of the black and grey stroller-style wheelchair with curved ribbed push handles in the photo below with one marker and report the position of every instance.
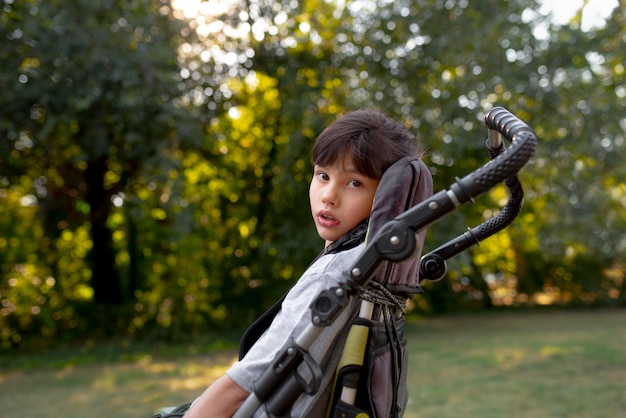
(383, 276)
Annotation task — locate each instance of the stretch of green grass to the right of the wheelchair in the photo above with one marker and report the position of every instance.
(538, 364)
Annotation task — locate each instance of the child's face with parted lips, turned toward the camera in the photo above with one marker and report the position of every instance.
(340, 198)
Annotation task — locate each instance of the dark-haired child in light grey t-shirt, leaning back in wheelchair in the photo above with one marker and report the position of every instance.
(349, 157)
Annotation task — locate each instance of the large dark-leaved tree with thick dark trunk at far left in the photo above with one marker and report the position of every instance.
(89, 102)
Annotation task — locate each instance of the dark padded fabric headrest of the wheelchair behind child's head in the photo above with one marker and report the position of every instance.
(403, 185)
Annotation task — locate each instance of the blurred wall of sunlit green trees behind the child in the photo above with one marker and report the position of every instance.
(154, 160)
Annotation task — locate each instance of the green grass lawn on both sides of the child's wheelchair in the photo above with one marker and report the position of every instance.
(520, 364)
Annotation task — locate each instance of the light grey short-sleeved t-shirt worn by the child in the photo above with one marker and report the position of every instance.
(295, 315)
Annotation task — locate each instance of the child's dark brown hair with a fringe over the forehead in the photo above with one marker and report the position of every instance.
(374, 140)
